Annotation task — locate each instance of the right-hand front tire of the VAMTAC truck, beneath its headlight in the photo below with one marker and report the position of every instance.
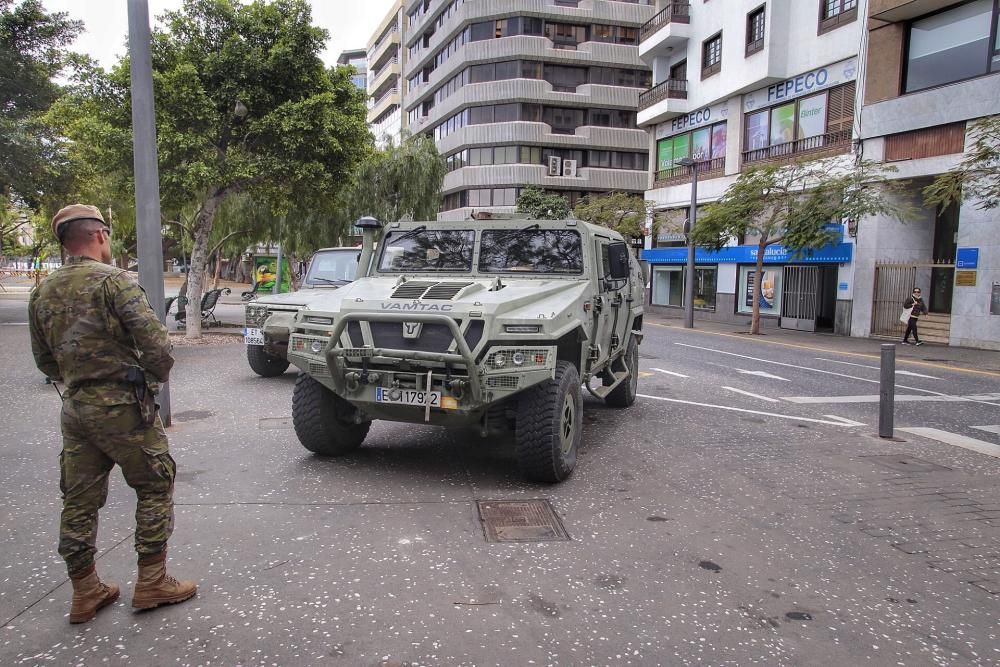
(549, 426)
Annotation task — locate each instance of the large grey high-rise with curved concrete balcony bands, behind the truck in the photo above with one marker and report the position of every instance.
(528, 92)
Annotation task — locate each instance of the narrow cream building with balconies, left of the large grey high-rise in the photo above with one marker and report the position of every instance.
(386, 58)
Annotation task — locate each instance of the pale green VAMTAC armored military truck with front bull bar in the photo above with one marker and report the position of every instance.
(491, 324)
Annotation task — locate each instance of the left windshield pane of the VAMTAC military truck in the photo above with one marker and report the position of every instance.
(427, 250)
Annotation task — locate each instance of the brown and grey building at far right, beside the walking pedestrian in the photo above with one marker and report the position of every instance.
(933, 69)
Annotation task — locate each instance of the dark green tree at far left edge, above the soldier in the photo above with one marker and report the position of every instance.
(32, 52)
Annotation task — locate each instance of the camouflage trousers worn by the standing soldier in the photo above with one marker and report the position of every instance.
(95, 438)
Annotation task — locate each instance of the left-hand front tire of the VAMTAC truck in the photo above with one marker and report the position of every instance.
(323, 421)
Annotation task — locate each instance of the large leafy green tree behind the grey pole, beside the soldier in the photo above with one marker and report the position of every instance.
(243, 105)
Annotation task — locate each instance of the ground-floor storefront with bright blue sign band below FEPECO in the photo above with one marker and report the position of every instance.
(800, 290)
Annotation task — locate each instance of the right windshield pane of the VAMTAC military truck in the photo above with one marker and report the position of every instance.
(532, 251)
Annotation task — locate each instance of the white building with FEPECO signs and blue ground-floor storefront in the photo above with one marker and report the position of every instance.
(739, 83)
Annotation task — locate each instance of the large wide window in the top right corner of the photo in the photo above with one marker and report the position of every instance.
(951, 46)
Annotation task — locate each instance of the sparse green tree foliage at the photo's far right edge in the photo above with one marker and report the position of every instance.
(977, 176)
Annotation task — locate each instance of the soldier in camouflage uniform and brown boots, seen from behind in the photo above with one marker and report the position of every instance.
(92, 329)
